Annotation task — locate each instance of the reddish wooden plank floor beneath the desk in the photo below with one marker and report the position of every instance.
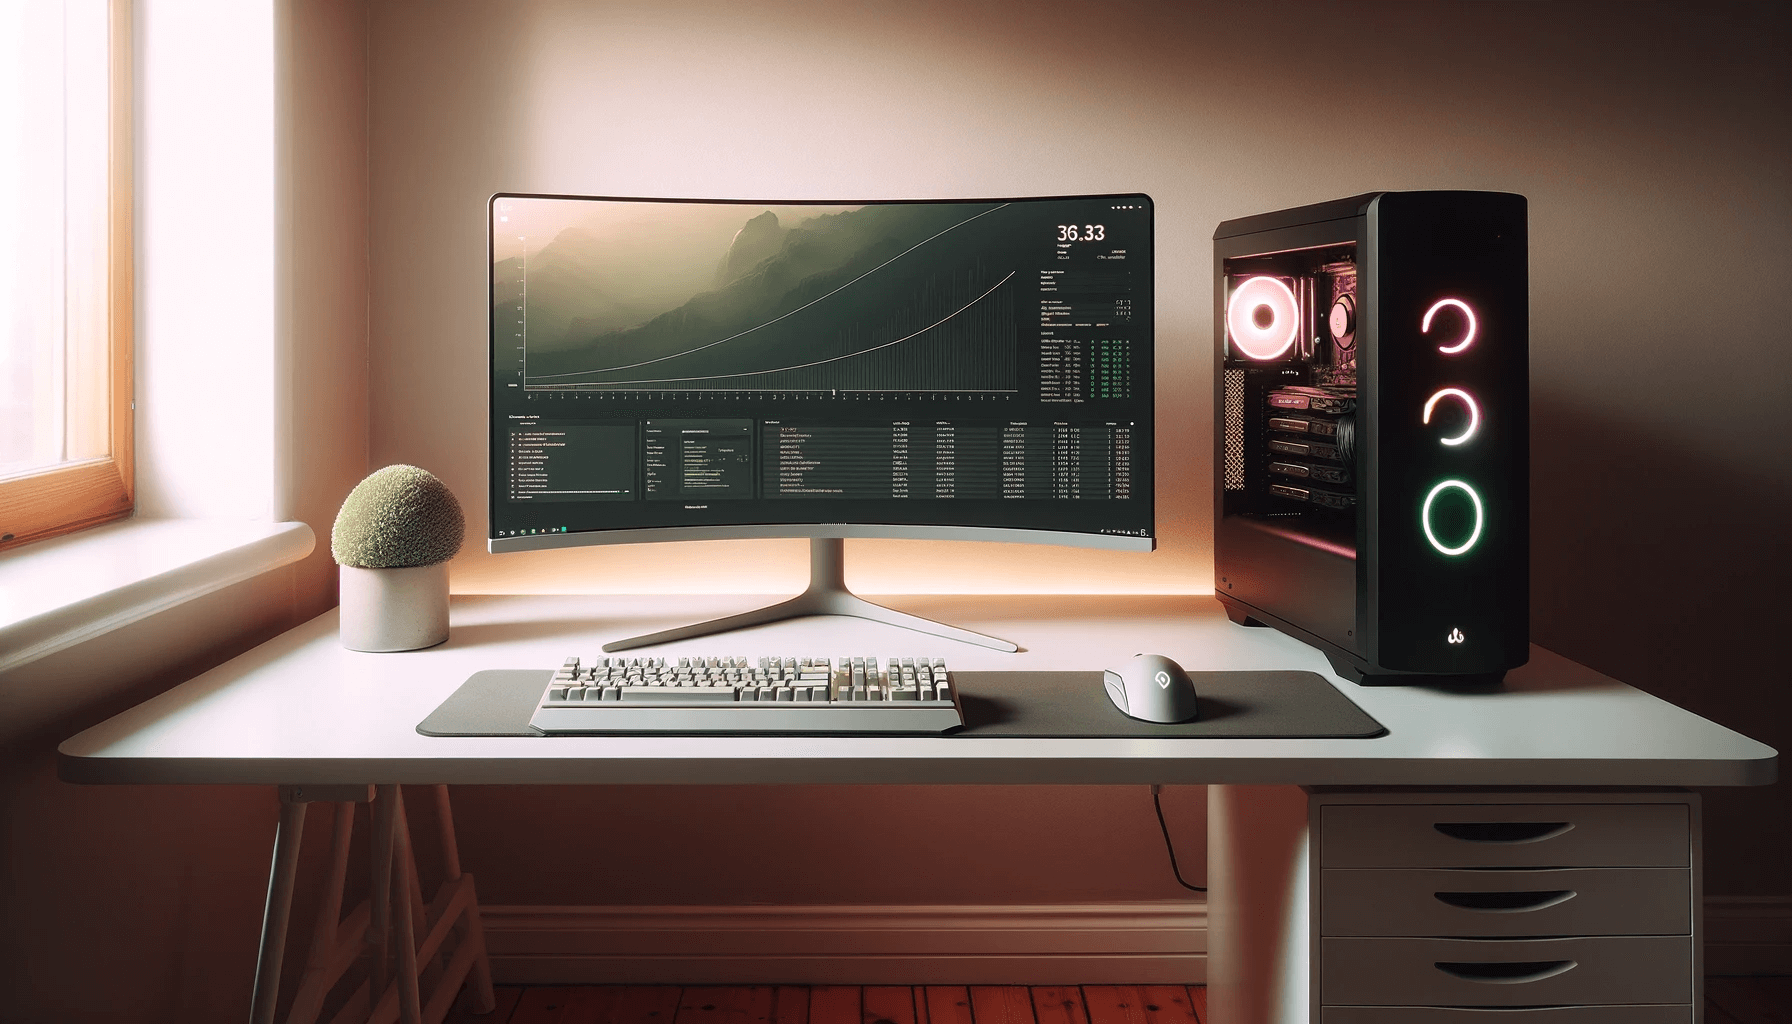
(1728, 1002)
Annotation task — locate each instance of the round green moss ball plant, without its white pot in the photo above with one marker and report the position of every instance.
(399, 517)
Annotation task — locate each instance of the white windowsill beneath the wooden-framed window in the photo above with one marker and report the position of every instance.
(65, 591)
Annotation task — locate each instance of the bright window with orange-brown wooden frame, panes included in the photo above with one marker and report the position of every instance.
(65, 266)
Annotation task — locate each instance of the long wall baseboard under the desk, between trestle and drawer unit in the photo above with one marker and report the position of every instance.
(1116, 944)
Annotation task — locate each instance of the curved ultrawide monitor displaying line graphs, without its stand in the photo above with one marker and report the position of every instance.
(687, 370)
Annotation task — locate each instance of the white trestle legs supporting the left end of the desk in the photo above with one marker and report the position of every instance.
(424, 982)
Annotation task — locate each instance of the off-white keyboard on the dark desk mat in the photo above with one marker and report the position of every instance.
(750, 697)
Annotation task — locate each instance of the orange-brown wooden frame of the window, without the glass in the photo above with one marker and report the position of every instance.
(90, 492)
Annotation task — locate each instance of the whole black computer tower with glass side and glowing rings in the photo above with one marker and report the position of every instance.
(1374, 437)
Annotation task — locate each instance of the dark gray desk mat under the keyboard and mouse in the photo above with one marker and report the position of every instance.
(1073, 706)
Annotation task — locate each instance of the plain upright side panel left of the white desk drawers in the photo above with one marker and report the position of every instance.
(1257, 905)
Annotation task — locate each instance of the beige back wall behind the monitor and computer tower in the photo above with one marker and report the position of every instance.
(1650, 141)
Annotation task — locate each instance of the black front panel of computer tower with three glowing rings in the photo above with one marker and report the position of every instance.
(1447, 440)
